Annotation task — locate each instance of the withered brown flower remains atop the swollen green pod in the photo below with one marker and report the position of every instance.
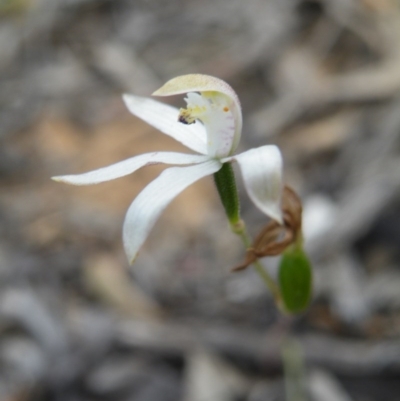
(274, 238)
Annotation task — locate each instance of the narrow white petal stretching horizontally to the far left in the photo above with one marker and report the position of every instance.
(129, 166)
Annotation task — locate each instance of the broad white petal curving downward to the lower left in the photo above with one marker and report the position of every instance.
(150, 203)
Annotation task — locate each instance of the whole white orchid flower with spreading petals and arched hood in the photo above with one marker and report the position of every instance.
(216, 106)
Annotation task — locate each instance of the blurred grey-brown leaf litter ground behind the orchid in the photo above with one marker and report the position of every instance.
(319, 78)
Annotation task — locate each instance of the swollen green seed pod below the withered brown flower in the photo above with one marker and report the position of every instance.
(295, 280)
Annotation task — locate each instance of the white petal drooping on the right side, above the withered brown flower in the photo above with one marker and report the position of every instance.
(262, 175)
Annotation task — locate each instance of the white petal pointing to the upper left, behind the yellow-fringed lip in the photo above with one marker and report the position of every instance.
(165, 118)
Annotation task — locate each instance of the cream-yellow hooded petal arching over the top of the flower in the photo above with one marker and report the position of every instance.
(205, 84)
